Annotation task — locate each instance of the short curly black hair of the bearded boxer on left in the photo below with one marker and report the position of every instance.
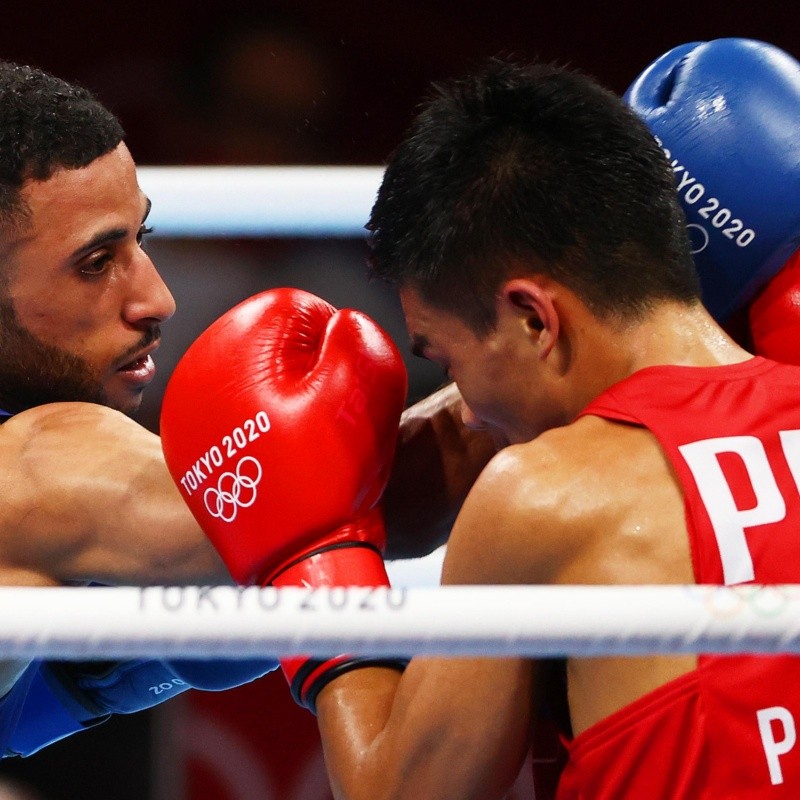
(46, 124)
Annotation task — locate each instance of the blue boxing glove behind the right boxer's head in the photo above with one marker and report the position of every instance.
(727, 113)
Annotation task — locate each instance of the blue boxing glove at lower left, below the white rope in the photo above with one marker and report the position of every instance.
(53, 700)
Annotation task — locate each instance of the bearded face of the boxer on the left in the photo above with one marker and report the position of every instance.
(82, 302)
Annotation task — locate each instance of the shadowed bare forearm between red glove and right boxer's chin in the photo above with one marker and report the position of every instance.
(438, 459)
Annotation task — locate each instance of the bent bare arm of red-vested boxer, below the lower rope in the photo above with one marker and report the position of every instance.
(455, 728)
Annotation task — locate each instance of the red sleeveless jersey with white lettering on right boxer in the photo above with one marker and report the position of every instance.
(729, 728)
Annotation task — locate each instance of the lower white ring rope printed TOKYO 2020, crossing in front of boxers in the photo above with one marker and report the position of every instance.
(532, 621)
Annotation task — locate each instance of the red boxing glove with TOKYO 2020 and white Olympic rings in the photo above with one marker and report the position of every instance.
(279, 427)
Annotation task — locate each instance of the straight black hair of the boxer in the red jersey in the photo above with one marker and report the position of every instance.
(521, 168)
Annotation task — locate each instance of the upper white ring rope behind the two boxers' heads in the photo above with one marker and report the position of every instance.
(260, 201)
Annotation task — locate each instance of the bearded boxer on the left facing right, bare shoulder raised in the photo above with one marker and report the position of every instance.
(86, 495)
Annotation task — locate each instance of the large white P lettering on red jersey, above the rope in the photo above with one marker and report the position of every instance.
(728, 520)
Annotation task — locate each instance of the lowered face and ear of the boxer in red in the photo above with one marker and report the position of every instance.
(497, 374)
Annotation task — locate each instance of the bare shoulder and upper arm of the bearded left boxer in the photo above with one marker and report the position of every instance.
(87, 496)
